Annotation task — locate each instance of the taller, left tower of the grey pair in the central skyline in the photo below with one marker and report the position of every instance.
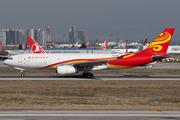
(72, 34)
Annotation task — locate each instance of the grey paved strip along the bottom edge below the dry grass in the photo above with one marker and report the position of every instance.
(89, 115)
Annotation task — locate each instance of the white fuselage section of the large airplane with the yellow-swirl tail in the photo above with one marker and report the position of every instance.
(45, 60)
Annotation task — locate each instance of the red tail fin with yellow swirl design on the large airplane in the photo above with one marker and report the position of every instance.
(160, 45)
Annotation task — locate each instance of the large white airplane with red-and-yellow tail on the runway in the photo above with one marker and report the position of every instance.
(69, 64)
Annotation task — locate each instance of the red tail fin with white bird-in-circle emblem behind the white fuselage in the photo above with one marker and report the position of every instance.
(35, 48)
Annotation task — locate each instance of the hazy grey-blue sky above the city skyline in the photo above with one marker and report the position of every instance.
(100, 16)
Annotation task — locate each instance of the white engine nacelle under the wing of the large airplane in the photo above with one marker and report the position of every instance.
(62, 70)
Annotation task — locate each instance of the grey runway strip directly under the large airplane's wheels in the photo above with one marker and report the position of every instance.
(96, 78)
